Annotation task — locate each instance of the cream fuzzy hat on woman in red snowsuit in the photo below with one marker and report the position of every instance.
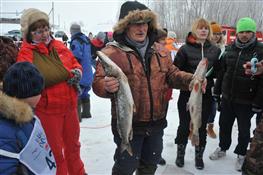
(29, 17)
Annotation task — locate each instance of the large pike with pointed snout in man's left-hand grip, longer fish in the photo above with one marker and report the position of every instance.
(125, 104)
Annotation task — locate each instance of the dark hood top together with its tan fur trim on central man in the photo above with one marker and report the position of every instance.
(133, 12)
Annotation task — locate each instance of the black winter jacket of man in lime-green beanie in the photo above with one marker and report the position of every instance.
(236, 86)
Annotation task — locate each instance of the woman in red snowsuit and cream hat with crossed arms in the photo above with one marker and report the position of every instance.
(57, 108)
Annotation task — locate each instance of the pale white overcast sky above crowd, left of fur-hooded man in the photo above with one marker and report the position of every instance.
(93, 15)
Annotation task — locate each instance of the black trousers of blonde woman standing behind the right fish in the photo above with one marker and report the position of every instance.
(184, 117)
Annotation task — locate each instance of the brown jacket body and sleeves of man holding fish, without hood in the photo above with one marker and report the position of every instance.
(148, 90)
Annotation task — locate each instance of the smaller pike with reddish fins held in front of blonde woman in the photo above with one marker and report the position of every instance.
(194, 104)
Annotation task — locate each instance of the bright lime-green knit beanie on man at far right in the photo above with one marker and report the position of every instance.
(246, 24)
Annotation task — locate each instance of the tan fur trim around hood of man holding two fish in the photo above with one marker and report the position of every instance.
(135, 17)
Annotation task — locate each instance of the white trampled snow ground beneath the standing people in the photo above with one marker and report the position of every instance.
(97, 146)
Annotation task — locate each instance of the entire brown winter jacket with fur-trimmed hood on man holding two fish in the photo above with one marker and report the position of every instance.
(148, 83)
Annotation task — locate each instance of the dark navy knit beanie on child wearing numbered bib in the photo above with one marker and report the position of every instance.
(23, 80)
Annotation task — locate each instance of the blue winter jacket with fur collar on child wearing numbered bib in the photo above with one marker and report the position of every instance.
(16, 125)
